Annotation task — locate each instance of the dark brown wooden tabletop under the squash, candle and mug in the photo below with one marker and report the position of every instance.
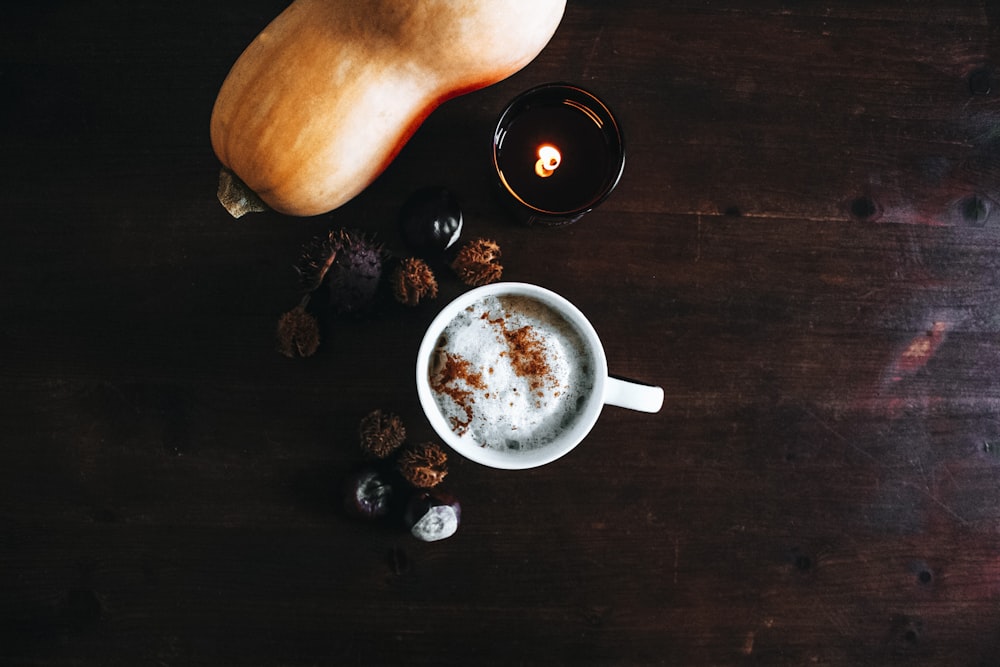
(803, 252)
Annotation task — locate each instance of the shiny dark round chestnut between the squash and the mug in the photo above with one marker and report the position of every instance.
(431, 220)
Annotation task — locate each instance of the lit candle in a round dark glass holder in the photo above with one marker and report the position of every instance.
(557, 152)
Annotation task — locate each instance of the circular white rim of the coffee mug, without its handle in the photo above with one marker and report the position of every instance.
(497, 458)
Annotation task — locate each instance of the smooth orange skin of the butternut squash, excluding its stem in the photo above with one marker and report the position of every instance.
(325, 97)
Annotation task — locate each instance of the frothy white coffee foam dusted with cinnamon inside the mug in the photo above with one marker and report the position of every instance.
(510, 373)
